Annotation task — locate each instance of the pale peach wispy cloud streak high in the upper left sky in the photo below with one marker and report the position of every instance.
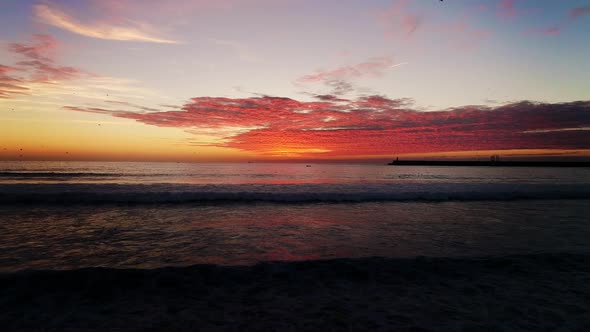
(101, 29)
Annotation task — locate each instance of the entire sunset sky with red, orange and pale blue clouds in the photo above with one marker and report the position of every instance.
(257, 80)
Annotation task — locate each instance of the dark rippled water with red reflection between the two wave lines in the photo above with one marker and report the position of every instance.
(155, 235)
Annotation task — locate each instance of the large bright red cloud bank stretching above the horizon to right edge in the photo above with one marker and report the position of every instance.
(374, 125)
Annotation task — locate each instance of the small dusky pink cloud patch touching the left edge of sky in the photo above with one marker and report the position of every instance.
(38, 66)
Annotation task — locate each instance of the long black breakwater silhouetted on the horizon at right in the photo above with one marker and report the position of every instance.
(490, 163)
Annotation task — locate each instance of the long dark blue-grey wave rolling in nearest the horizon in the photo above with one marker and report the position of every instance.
(294, 193)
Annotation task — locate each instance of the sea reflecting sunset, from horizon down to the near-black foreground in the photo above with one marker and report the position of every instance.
(71, 215)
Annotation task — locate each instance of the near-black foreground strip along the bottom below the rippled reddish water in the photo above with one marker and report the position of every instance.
(545, 292)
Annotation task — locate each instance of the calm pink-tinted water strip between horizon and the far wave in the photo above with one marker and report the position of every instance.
(274, 173)
